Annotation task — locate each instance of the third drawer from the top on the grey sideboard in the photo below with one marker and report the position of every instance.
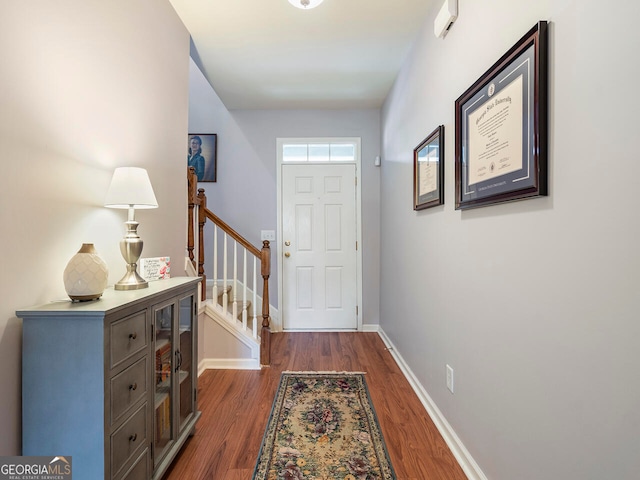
(129, 439)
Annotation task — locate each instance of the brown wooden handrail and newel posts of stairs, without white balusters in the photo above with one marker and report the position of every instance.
(198, 198)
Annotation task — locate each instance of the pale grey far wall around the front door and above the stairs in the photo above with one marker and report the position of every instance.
(245, 194)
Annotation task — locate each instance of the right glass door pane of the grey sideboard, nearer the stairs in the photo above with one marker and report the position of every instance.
(185, 359)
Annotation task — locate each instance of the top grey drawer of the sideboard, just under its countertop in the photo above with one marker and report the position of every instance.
(128, 337)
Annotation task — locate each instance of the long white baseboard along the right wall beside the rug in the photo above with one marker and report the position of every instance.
(467, 463)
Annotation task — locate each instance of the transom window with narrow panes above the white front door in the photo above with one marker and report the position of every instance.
(318, 151)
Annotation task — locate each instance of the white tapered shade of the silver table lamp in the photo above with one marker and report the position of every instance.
(130, 187)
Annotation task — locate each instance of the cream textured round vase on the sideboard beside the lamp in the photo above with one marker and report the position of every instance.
(86, 274)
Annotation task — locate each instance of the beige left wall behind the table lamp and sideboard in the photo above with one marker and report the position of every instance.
(85, 86)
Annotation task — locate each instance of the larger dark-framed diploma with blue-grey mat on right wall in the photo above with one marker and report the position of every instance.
(501, 128)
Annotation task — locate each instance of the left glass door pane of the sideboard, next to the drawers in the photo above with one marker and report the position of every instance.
(164, 368)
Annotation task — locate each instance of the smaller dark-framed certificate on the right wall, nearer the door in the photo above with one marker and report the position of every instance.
(428, 171)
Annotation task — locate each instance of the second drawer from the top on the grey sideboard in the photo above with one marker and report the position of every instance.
(128, 387)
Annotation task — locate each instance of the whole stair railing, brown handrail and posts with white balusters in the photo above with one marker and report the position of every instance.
(198, 212)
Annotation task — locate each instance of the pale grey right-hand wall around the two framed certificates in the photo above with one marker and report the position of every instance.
(534, 304)
